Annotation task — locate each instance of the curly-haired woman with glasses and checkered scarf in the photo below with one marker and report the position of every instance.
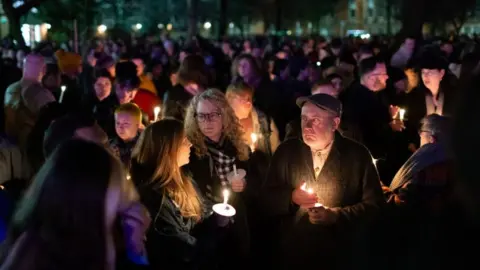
(218, 145)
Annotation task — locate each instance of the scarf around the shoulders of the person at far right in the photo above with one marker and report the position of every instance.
(427, 155)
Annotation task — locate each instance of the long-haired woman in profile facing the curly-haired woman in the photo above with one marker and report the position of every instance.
(175, 205)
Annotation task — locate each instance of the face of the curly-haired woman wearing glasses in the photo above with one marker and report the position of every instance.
(209, 119)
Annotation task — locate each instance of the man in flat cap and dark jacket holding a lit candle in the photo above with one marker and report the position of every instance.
(320, 193)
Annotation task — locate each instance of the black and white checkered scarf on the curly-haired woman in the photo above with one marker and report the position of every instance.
(222, 162)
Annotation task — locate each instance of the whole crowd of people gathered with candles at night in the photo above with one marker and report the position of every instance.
(335, 154)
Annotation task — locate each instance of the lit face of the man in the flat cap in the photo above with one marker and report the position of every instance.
(318, 126)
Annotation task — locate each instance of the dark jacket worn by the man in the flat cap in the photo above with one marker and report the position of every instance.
(348, 183)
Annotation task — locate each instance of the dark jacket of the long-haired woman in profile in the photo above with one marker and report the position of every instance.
(175, 242)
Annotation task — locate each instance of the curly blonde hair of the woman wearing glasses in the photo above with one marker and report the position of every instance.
(232, 130)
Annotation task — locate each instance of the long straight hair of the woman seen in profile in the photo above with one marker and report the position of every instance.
(157, 149)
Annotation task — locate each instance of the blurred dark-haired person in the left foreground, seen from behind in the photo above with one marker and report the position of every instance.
(68, 217)
